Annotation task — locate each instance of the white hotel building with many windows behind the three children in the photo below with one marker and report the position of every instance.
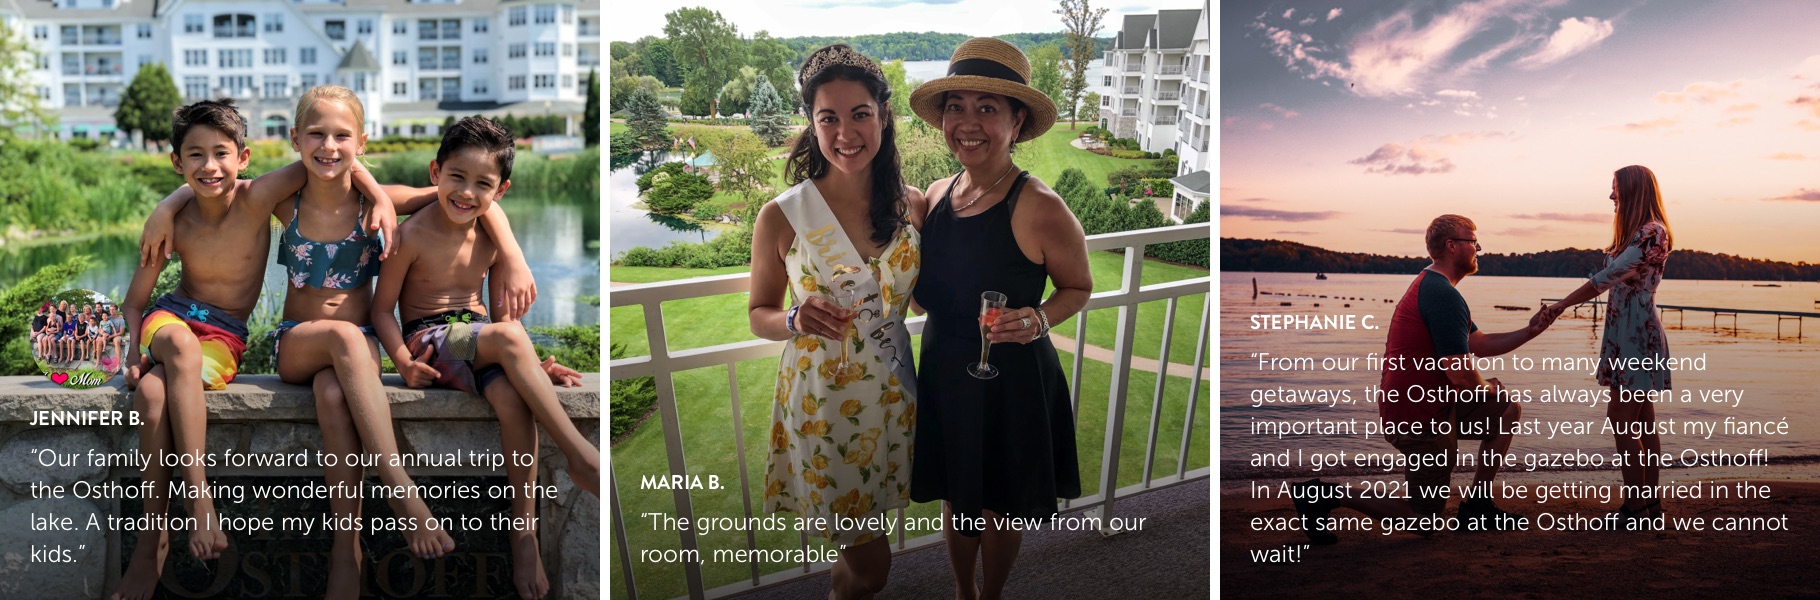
(412, 63)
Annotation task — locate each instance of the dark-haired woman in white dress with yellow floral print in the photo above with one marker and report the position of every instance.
(840, 443)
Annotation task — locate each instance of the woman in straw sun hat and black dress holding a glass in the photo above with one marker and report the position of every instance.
(1000, 448)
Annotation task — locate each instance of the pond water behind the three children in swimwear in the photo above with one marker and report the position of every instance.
(560, 241)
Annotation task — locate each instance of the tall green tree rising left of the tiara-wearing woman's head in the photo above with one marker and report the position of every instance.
(709, 48)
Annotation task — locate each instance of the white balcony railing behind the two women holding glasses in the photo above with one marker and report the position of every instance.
(662, 365)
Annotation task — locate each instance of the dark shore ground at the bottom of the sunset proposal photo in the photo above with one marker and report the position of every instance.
(1535, 565)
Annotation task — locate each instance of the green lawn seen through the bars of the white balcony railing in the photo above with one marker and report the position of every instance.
(709, 446)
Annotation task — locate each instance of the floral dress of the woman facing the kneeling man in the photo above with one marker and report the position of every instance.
(1633, 328)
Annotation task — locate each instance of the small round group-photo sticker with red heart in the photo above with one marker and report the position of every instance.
(79, 339)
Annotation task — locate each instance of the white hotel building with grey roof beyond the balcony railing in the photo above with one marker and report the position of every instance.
(1160, 77)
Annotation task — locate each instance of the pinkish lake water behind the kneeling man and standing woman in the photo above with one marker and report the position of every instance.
(1777, 377)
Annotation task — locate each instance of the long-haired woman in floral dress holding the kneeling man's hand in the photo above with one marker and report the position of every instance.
(1635, 259)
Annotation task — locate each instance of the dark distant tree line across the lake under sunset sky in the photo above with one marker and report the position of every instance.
(1291, 257)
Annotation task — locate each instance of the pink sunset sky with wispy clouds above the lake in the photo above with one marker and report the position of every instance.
(1350, 126)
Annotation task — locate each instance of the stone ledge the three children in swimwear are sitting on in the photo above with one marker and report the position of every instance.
(259, 414)
